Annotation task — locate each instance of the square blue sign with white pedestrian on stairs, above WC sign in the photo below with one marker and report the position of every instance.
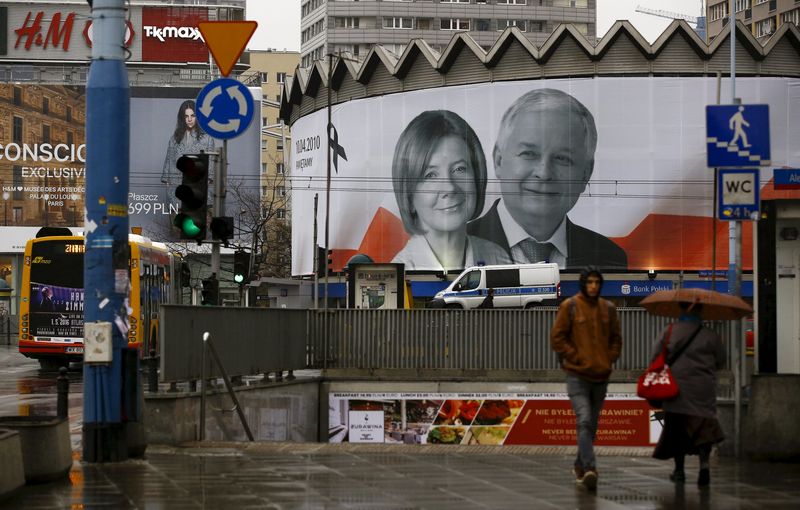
(737, 135)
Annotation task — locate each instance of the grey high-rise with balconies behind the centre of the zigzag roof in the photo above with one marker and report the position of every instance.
(354, 26)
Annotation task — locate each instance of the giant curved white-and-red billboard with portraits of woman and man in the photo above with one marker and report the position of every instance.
(605, 171)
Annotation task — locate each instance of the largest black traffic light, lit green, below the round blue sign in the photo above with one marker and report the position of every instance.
(193, 194)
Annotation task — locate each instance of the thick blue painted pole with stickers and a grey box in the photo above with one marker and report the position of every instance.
(106, 277)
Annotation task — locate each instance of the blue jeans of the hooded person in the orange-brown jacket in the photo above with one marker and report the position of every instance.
(587, 399)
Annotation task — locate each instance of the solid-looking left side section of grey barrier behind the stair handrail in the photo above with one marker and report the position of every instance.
(249, 340)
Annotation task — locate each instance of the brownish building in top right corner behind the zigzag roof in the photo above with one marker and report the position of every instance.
(762, 17)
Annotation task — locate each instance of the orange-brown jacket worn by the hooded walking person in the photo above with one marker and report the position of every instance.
(587, 337)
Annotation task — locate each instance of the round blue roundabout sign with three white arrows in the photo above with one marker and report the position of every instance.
(225, 108)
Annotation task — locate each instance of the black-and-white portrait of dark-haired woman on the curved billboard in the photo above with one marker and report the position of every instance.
(439, 179)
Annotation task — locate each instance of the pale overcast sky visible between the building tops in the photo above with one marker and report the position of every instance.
(279, 20)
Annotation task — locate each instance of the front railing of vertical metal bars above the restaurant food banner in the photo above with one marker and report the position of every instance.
(461, 339)
